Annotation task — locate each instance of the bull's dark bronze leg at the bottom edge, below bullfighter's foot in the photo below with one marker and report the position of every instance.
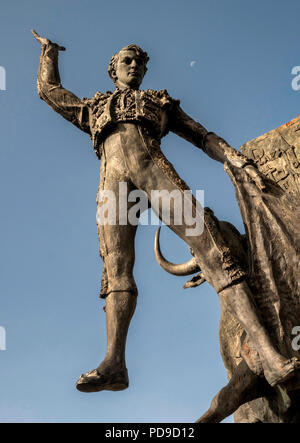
(243, 387)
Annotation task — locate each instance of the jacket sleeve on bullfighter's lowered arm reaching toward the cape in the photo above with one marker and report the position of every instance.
(213, 145)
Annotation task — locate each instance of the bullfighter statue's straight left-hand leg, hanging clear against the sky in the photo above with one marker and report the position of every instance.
(118, 287)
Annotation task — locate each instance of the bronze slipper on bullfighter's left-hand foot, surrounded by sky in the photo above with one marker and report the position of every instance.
(93, 381)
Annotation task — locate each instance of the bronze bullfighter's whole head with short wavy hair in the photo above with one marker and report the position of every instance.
(128, 67)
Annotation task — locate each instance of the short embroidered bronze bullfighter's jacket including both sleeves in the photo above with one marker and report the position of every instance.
(155, 111)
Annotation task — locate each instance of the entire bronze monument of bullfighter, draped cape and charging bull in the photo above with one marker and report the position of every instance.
(255, 276)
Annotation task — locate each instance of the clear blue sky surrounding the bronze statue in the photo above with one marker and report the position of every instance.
(239, 87)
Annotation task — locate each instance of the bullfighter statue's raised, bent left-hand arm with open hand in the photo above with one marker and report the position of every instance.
(51, 91)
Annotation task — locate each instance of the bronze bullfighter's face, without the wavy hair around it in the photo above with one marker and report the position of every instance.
(130, 70)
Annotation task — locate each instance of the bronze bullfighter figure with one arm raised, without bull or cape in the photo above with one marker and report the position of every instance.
(126, 128)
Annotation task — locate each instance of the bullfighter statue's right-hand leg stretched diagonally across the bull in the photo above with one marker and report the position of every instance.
(219, 266)
